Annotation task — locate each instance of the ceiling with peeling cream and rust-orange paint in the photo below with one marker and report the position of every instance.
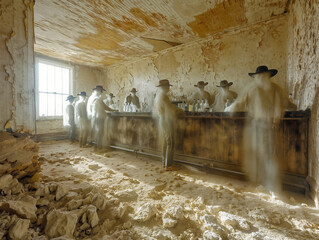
(104, 32)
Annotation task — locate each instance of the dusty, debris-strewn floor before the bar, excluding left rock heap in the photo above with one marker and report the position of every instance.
(198, 205)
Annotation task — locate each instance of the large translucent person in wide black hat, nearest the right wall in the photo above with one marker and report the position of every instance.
(265, 103)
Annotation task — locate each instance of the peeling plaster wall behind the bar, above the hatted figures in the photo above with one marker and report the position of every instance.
(228, 55)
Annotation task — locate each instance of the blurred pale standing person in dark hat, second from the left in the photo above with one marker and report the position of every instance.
(82, 118)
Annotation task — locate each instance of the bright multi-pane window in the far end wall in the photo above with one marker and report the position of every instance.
(53, 87)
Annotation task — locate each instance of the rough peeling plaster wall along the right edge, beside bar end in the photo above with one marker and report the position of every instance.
(303, 77)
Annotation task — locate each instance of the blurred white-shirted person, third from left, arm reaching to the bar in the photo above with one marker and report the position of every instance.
(98, 115)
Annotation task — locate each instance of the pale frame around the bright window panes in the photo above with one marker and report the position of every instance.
(37, 93)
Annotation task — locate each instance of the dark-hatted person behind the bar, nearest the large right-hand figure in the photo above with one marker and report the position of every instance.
(224, 97)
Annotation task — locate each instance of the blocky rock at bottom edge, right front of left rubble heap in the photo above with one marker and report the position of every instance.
(60, 223)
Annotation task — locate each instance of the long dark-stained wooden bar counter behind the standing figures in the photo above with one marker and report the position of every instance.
(214, 141)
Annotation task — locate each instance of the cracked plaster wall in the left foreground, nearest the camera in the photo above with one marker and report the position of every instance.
(16, 65)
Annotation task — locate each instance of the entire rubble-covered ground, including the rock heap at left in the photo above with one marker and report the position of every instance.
(73, 201)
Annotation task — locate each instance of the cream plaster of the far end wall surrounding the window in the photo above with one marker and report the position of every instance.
(84, 79)
